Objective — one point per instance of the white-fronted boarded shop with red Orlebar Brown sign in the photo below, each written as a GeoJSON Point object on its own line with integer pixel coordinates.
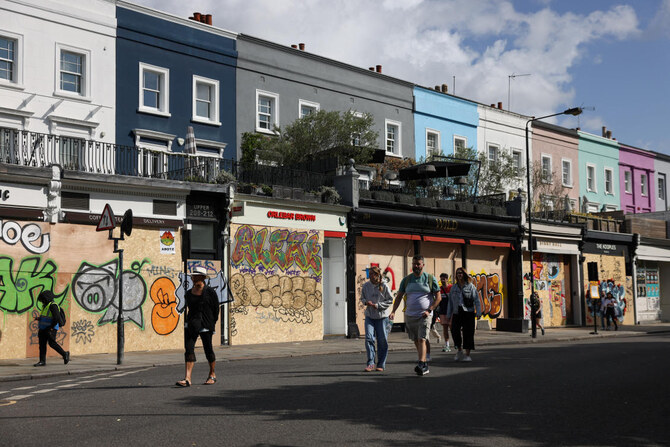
{"type": "Point", "coordinates": [278, 269]}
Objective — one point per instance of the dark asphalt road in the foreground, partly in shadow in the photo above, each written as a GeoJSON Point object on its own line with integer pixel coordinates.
{"type": "Point", "coordinates": [592, 393]}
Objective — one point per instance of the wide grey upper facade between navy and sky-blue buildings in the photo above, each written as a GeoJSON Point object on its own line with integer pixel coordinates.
{"type": "Point", "coordinates": [277, 84]}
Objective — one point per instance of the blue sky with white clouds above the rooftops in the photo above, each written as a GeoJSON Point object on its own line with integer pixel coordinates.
{"type": "Point", "coordinates": [610, 57]}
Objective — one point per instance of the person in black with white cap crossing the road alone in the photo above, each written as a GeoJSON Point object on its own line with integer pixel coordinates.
{"type": "Point", "coordinates": [202, 313]}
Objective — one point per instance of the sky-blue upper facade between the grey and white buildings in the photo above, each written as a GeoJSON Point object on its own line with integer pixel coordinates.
{"type": "Point", "coordinates": [442, 122]}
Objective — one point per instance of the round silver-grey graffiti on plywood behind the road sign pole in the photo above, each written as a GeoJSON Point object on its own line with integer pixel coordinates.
{"type": "Point", "coordinates": [96, 289]}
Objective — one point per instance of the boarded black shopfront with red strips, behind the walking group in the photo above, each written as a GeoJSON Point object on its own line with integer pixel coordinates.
{"type": "Point", "coordinates": [390, 239]}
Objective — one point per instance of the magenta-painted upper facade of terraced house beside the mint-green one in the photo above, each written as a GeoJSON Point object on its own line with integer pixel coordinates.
{"type": "Point", "coordinates": [636, 175]}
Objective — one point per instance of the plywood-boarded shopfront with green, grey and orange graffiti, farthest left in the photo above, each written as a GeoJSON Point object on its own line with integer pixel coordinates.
{"type": "Point", "coordinates": [78, 264]}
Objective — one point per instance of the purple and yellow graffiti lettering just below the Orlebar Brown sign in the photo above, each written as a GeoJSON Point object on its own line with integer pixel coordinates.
{"type": "Point", "coordinates": [291, 252]}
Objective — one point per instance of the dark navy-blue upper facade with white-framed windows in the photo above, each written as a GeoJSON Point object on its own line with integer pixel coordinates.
{"type": "Point", "coordinates": [172, 73]}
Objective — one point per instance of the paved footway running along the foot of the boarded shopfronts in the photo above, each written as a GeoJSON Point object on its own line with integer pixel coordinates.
{"type": "Point", "coordinates": [22, 369]}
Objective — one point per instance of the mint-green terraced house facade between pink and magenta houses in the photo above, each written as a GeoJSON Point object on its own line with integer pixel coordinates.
{"type": "Point", "coordinates": [598, 173]}
